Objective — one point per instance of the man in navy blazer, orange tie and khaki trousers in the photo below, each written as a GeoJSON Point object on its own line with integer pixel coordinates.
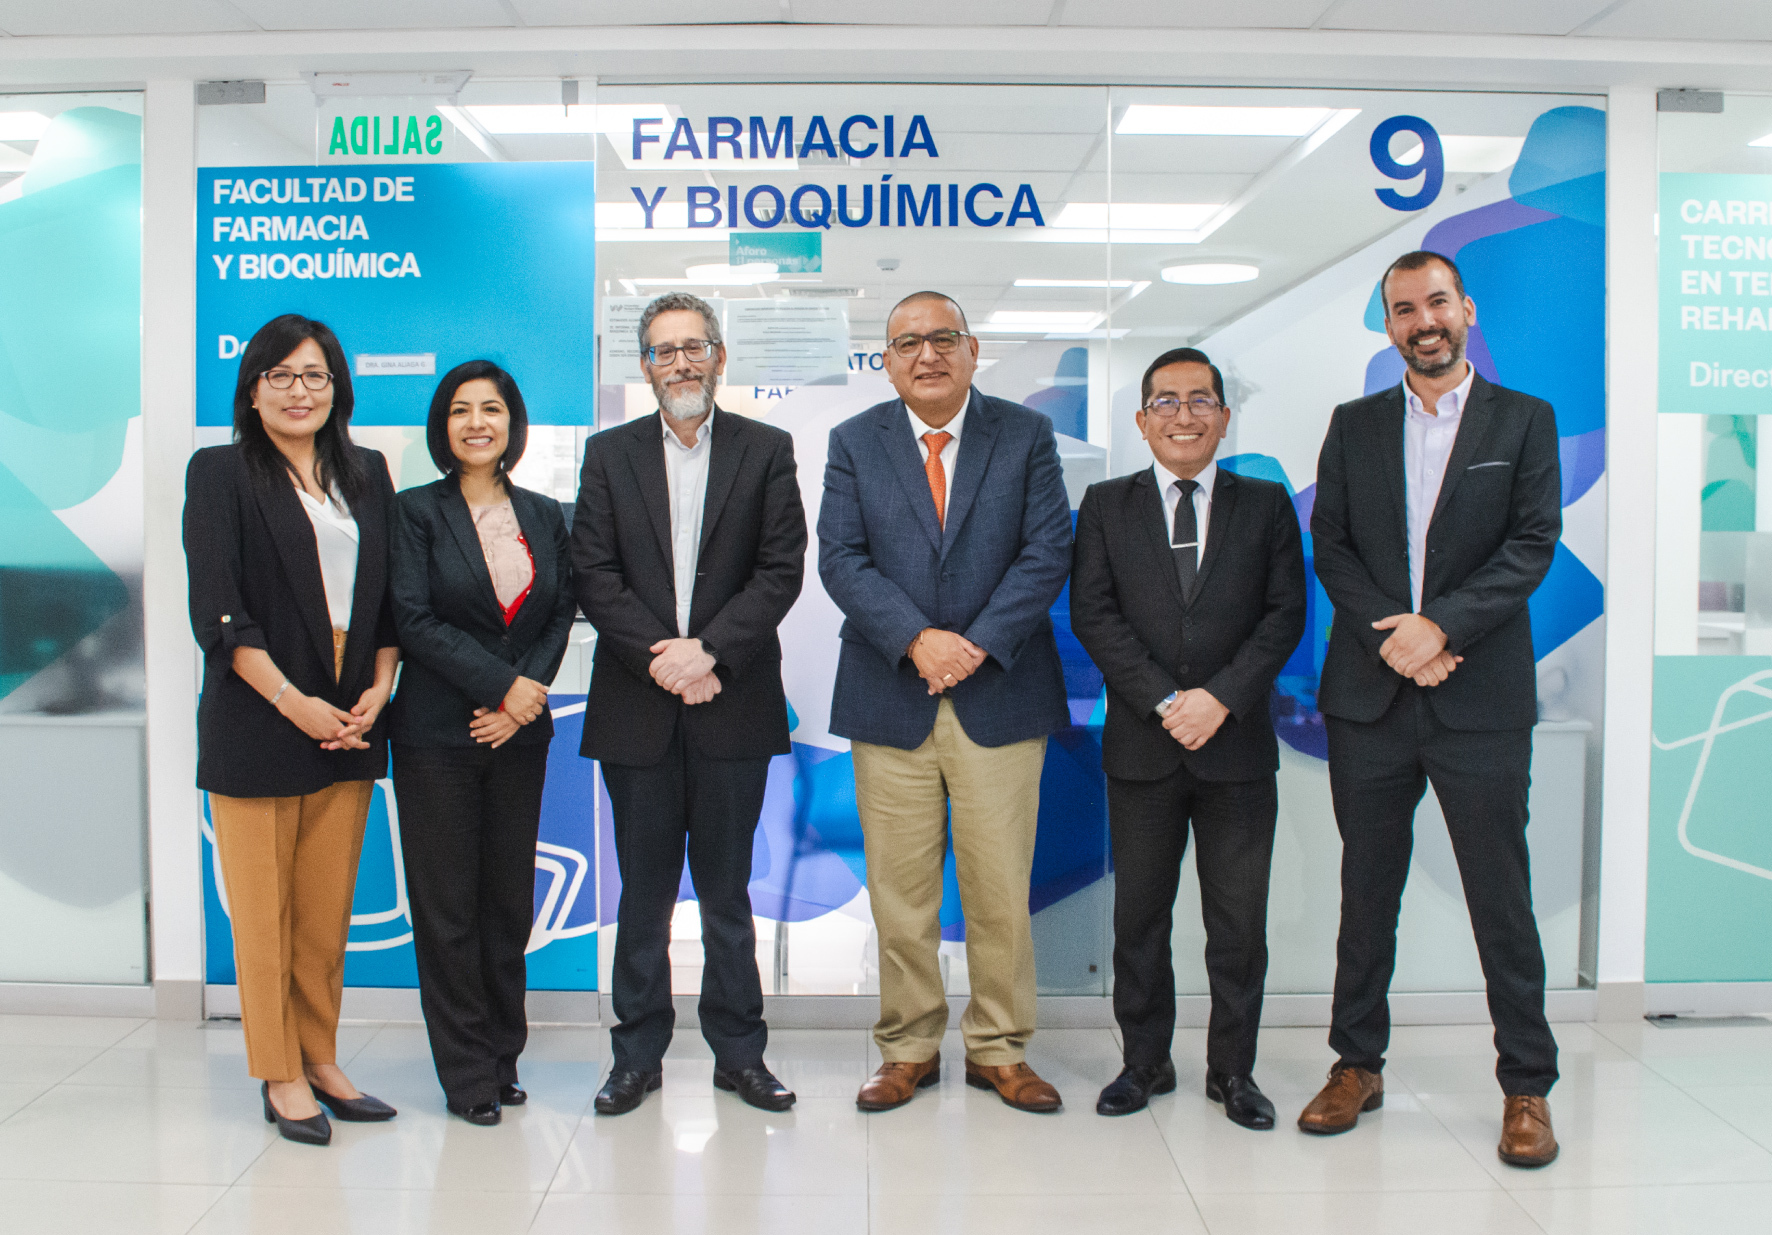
{"type": "Point", "coordinates": [945, 540]}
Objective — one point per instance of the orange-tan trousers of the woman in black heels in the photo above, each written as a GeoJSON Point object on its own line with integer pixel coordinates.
{"type": "Point", "coordinates": [290, 869]}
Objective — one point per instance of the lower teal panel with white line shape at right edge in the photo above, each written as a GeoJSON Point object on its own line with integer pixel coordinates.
{"type": "Point", "coordinates": [1711, 828]}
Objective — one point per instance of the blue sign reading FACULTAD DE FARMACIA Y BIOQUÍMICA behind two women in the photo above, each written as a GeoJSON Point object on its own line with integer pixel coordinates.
{"type": "Point", "coordinates": [416, 268]}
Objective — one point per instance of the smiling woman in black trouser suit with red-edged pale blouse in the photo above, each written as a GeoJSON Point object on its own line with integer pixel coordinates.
{"type": "Point", "coordinates": [483, 600]}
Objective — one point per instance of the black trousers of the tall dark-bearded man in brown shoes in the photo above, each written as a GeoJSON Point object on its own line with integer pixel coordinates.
{"type": "Point", "coordinates": [1378, 775]}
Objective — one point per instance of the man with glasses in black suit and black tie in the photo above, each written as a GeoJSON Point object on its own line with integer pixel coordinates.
{"type": "Point", "coordinates": [1188, 593]}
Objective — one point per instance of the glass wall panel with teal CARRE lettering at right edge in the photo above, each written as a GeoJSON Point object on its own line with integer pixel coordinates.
{"type": "Point", "coordinates": [1711, 851]}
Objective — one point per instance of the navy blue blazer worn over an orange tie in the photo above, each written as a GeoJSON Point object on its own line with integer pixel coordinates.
{"type": "Point", "coordinates": [991, 575]}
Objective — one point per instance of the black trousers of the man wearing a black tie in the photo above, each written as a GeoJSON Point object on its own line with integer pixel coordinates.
{"type": "Point", "coordinates": [1234, 850]}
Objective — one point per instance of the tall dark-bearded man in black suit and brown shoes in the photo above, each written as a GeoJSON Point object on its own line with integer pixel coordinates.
{"type": "Point", "coordinates": [1438, 515]}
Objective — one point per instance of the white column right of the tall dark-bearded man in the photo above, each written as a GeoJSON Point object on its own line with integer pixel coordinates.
{"type": "Point", "coordinates": [1631, 456]}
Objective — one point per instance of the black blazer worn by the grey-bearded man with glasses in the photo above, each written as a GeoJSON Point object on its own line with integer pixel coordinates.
{"type": "Point", "coordinates": [749, 575]}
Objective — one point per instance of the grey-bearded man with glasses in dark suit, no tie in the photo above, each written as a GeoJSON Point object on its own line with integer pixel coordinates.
{"type": "Point", "coordinates": [688, 550]}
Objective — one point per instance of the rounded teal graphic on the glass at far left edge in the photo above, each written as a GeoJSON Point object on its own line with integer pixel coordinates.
{"type": "Point", "coordinates": [70, 378]}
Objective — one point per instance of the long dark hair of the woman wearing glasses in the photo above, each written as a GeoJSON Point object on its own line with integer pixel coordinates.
{"type": "Point", "coordinates": [336, 463]}
